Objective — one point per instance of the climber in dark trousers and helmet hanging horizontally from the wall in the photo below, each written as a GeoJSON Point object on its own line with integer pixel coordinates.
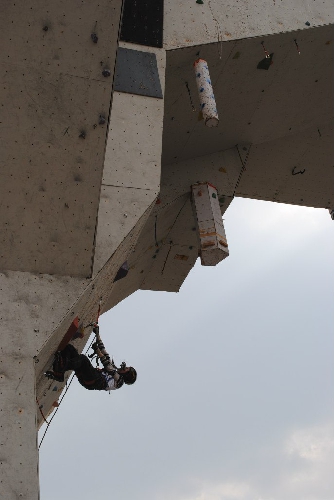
{"type": "Point", "coordinates": [106, 379]}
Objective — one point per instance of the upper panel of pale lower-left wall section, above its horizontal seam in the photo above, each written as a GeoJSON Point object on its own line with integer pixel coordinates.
{"type": "Point", "coordinates": [32, 305]}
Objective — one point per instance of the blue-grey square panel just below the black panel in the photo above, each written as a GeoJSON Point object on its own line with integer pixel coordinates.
{"type": "Point", "coordinates": [137, 73]}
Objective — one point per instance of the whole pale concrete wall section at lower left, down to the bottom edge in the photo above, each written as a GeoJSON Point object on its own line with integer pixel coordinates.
{"type": "Point", "coordinates": [31, 307]}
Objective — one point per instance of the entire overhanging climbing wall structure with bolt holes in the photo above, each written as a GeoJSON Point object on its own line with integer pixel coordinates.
{"type": "Point", "coordinates": [97, 168]}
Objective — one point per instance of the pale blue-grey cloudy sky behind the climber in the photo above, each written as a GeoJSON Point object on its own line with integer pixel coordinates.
{"type": "Point", "coordinates": [234, 398]}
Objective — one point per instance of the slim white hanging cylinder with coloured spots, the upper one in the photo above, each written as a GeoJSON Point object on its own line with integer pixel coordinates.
{"type": "Point", "coordinates": [205, 92]}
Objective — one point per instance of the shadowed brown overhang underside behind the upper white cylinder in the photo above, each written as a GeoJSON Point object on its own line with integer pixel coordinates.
{"type": "Point", "coordinates": [254, 106]}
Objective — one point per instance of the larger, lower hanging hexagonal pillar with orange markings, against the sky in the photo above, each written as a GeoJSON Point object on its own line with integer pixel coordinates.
{"type": "Point", "coordinates": [213, 244]}
